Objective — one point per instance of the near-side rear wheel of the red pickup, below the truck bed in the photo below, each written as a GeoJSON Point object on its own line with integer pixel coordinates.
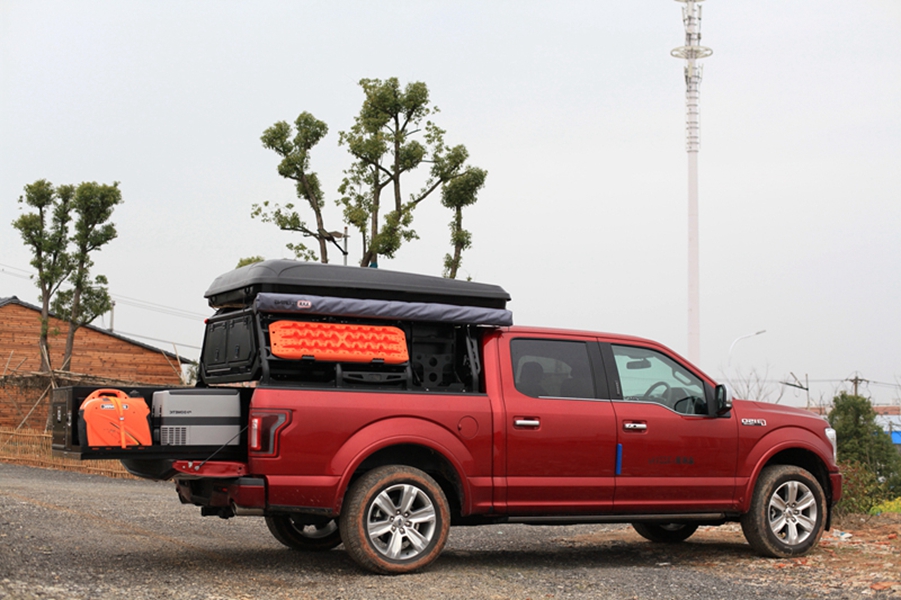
{"type": "Point", "coordinates": [395, 519]}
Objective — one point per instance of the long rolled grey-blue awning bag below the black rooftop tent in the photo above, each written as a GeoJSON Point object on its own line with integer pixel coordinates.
{"type": "Point", "coordinates": [300, 304]}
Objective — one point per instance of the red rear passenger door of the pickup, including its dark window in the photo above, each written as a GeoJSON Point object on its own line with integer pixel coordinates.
{"type": "Point", "coordinates": [559, 426]}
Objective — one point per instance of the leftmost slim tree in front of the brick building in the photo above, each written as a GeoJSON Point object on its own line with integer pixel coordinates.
{"type": "Point", "coordinates": [46, 233]}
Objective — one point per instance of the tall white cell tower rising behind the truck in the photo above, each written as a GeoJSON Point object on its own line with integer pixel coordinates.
{"type": "Point", "coordinates": [691, 52]}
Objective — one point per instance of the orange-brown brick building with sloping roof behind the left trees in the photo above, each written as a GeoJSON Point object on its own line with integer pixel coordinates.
{"type": "Point", "coordinates": [98, 356]}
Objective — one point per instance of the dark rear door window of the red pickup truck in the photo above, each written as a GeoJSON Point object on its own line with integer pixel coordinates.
{"type": "Point", "coordinates": [555, 368]}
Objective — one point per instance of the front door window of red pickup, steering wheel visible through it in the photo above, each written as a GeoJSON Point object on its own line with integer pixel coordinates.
{"type": "Point", "coordinates": [649, 376]}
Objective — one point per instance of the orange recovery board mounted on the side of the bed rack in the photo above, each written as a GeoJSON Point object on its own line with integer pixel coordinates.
{"type": "Point", "coordinates": [338, 342]}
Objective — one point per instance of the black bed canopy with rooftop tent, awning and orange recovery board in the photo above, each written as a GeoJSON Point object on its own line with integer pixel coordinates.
{"type": "Point", "coordinates": [273, 318]}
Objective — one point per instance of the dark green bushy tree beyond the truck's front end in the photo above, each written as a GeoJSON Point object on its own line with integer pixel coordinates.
{"type": "Point", "coordinates": [862, 441]}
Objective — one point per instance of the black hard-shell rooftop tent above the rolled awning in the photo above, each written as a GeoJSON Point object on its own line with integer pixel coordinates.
{"type": "Point", "coordinates": [238, 288]}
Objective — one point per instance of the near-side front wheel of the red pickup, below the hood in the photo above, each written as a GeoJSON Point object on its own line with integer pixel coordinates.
{"type": "Point", "coordinates": [788, 512]}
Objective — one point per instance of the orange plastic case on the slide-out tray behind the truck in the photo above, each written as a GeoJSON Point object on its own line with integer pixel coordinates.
{"type": "Point", "coordinates": [113, 418]}
